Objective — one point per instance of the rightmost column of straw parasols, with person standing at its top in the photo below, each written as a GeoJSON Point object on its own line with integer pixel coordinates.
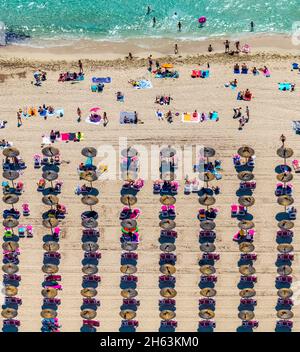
{"type": "Point", "coordinates": [285, 248]}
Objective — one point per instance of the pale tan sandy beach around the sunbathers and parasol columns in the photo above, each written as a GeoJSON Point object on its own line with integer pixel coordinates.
{"type": "Point", "coordinates": [271, 114]}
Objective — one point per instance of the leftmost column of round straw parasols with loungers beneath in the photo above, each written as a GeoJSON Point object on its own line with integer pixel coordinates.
{"type": "Point", "coordinates": [10, 246]}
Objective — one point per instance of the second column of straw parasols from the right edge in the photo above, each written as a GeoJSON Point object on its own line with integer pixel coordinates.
{"type": "Point", "coordinates": [245, 238]}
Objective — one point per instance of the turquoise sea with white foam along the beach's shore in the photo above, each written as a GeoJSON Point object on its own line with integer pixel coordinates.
{"type": "Point", "coordinates": [119, 19]}
